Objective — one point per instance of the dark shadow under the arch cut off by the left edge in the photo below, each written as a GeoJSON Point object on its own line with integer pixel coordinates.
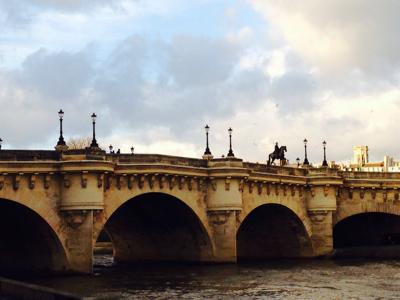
{"type": "Point", "coordinates": [28, 244]}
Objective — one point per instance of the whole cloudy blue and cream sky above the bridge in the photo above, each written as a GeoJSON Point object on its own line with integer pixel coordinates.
{"type": "Point", "coordinates": [156, 72]}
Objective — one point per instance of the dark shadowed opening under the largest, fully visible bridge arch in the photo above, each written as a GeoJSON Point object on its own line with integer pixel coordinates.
{"type": "Point", "coordinates": [157, 227]}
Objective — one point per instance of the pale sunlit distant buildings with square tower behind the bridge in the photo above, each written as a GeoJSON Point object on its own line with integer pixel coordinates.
{"type": "Point", "coordinates": [361, 162]}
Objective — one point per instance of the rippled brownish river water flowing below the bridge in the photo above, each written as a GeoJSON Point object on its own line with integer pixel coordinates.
{"type": "Point", "coordinates": [281, 279]}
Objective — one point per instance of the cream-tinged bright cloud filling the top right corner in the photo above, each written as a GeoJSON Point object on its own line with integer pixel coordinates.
{"type": "Point", "coordinates": [340, 37]}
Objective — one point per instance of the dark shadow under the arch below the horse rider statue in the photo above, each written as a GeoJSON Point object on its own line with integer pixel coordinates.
{"type": "Point", "coordinates": [272, 231]}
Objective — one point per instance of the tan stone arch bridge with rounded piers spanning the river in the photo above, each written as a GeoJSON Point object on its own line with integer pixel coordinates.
{"type": "Point", "coordinates": [54, 204]}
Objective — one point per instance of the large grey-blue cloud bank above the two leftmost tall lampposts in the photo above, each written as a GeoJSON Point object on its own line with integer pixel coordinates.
{"type": "Point", "coordinates": [138, 86]}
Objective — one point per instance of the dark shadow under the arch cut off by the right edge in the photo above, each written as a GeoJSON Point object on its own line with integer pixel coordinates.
{"type": "Point", "coordinates": [371, 229]}
